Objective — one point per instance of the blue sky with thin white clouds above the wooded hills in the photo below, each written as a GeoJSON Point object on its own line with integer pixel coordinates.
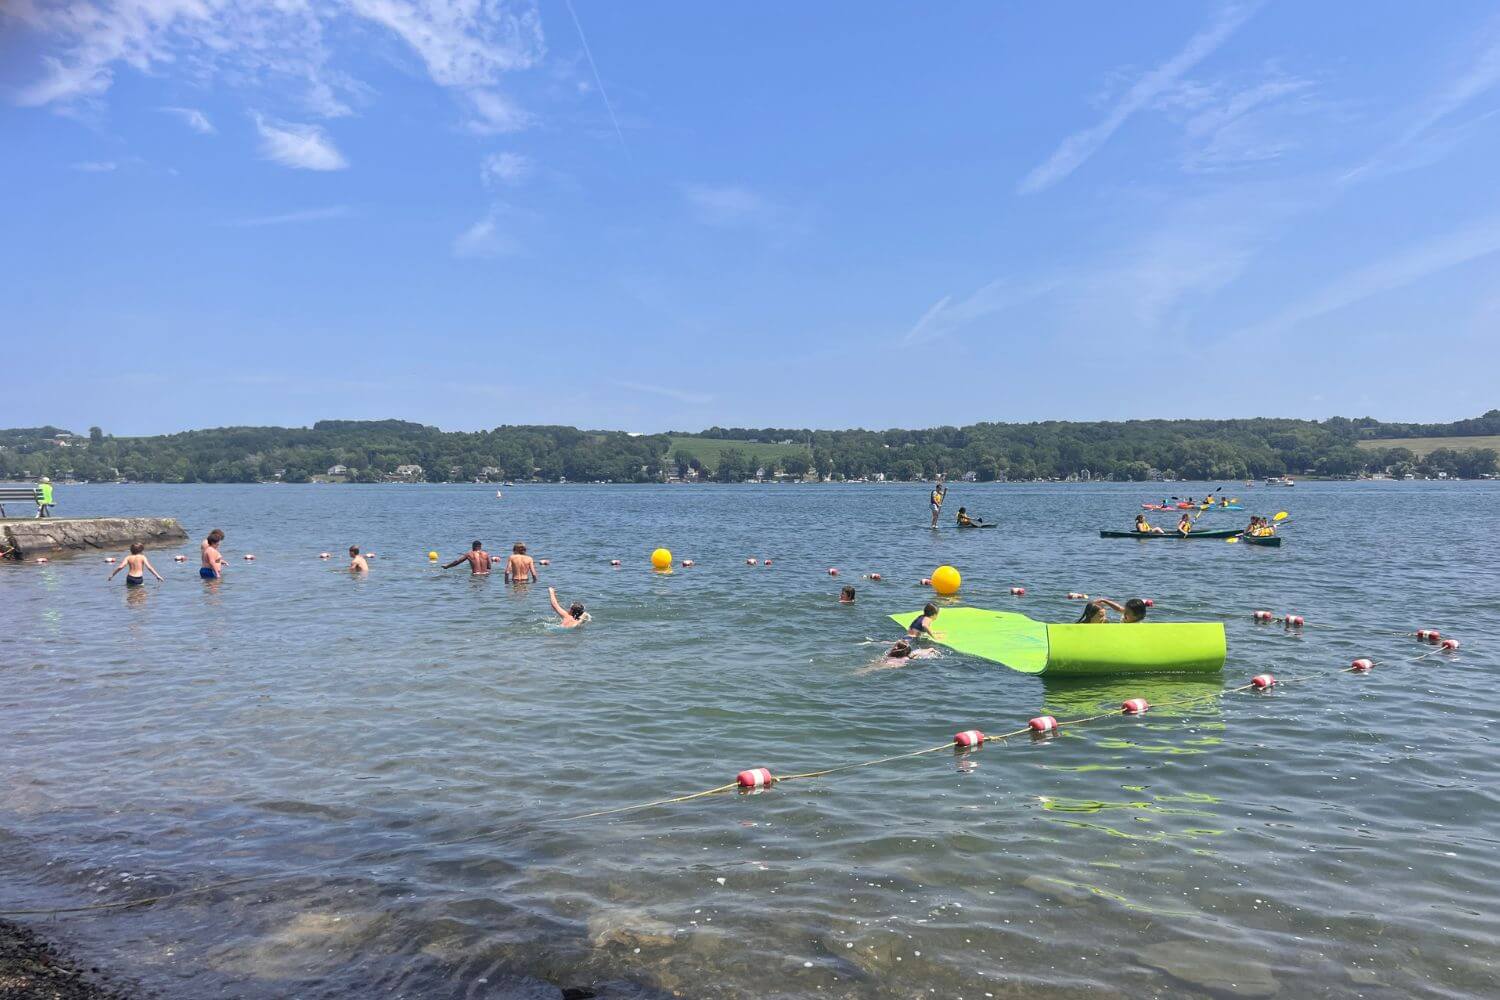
{"type": "Point", "coordinates": [830, 215]}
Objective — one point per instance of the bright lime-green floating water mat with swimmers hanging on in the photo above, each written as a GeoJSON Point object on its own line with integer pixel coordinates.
{"type": "Point", "coordinates": [1033, 647]}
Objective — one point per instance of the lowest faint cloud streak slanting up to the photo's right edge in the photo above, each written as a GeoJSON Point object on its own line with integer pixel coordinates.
{"type": "Point", "coordinates": [1394, 272]}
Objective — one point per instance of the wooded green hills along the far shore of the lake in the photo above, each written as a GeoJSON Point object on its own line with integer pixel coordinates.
{"type": "Point", "coordinates": [377, 451]}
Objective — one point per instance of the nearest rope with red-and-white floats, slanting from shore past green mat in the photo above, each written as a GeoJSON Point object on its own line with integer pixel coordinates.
{"type": "Point", "coordinates": [758, 779]}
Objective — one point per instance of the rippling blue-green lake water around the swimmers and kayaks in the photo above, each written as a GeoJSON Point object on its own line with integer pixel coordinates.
{"type": "Point", "coordinates": [412, 747]}
